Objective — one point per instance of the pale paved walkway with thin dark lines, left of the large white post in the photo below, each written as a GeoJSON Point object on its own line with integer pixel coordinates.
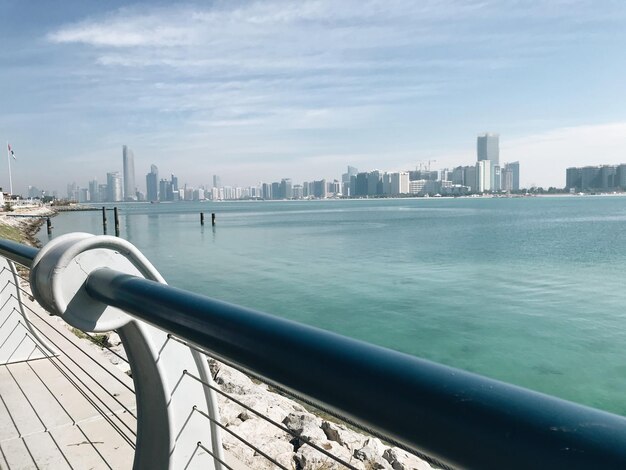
{"type": "Point", "coordinates": [75, 410]}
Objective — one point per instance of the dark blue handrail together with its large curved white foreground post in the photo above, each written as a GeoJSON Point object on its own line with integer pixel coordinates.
{"type": "Point", "coordinates": [451, 417]}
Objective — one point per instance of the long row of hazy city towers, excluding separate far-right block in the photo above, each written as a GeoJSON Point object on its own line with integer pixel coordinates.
{"type": "Point", "coordinates": [486, 175]}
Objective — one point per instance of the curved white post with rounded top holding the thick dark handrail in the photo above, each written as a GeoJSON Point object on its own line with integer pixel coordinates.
{"type": "Point", "coordinates": [168, 429]}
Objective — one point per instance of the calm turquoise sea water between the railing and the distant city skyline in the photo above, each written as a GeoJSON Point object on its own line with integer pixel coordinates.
{"type": "Point", "coordinates": [529, 291]}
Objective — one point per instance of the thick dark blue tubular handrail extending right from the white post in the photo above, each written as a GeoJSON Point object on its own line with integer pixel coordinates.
{"type": "Point", "coordinates": [457, 417]}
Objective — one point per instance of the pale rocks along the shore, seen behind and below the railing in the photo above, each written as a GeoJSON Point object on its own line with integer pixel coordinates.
{"type": "Point", "coordinates": [290, 449]}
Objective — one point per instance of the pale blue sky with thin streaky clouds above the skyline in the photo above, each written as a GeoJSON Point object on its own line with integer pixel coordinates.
{"type": "Point", "coordinates": [256, 89]}
